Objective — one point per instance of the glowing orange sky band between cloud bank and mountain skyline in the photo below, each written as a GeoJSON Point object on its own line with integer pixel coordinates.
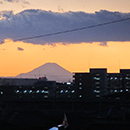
{"type": "Point", "coordinates": [73, 57]}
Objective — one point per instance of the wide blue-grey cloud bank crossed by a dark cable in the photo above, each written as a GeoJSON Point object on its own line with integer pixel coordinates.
{"type": "Point", "coordinates": [29, 23]}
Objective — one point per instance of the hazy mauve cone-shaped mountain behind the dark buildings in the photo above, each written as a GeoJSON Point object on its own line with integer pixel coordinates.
{"type": "Point", "coordinates": [52, 71]}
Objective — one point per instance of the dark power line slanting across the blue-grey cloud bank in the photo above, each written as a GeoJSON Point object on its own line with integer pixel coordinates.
{"type": "Point", "coordinates": [71, 30]}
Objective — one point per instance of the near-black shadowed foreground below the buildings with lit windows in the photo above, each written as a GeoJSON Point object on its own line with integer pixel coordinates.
{"type": "Point", "coordinates": [92, 115]}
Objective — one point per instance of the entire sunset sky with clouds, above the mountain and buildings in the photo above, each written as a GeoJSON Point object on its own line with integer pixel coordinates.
{"type": "Point", "coordinates": [99, 47]}
